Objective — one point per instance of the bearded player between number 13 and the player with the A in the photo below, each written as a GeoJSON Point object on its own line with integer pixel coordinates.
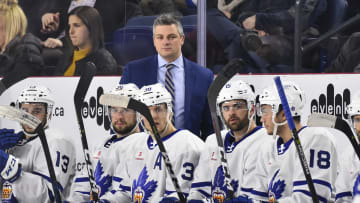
{"type": "Point", "coordinates": [124, 122]}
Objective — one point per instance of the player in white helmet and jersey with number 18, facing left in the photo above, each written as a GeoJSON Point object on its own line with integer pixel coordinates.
{"type": "Point", "coordinates": [285, 181]}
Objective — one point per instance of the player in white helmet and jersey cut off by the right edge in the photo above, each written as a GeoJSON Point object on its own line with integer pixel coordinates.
{"type": "Point", "coordinates": [350, 167]}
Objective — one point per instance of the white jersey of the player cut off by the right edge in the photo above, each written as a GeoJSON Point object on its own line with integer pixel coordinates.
{"type": "Point", "coordinates": [348, 172]}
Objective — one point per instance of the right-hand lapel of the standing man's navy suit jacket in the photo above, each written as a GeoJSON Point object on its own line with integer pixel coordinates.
{"type": "Point", "coordinates": [189, 78]}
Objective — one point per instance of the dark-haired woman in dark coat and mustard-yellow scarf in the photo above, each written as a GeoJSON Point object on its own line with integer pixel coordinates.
{"type": "Point", "coordinates": [85, 39]}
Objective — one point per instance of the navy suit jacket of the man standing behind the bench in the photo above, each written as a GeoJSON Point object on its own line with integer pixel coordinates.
{"type": "Point", "coordinates": [197, 81]}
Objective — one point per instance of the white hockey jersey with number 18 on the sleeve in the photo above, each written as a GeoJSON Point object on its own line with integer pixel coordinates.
{"type": "Point", "coordinates": [285, 181]}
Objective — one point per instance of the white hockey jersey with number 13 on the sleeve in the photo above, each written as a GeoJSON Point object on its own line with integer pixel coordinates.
{"type": "Point", "coordinates": [34, 185]}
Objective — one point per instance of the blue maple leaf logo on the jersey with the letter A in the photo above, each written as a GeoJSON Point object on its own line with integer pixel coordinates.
{"type": "Point", "coordinates": [143, 189]}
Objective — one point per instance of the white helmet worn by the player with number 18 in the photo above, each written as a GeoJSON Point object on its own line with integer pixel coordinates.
{"type": "Point", "coordinates": [295, 97]}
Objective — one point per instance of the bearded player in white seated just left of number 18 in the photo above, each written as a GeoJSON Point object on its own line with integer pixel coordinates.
{"type": "Point", "coordinates": [242, 139]}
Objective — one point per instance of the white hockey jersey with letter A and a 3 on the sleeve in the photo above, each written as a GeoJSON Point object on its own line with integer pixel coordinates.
{"type": "Point", "coordinates": [144, 175]}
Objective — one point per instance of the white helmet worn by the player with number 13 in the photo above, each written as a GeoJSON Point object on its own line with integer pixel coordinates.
{"type": "Point", "coordinates": [37, 94]}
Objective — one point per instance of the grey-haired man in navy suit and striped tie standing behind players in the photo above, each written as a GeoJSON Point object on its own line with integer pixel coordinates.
{"type": "Point", "coordinates": [190, 81]}
